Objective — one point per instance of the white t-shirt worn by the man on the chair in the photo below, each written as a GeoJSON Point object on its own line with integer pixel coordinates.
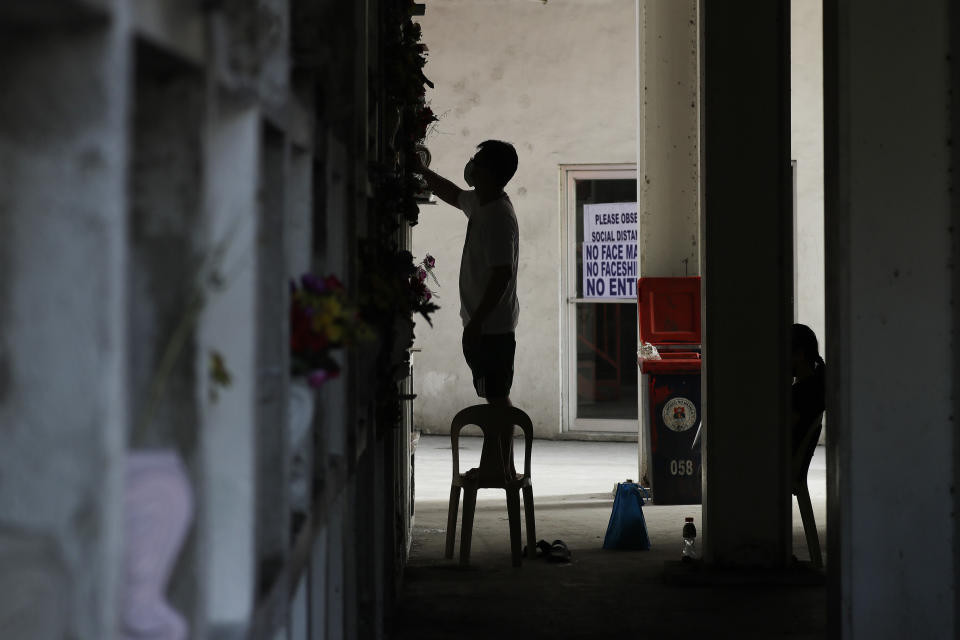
{"type": "Point", "coordinates": [493, 239]}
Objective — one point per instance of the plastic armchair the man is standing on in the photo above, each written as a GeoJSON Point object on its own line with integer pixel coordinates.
{"type": "Point", "coordinates": [495, 472]}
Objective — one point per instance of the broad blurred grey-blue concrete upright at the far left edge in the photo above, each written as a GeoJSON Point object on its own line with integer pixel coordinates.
{"type": "Point", "coordinates": [63, 259]}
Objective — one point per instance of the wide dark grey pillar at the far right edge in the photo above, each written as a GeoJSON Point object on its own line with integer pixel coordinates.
{"type": "Point", "coordinates": [892, 255]}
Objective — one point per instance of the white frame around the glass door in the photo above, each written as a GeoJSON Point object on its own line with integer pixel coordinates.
{"type": "Point", "coordinates": [569, 173]}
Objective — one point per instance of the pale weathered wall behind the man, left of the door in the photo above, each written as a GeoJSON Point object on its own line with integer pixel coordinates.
{"type": "Point", "coordinates": [558, 80]}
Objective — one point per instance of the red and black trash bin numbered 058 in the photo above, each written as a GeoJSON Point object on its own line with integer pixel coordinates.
{"type": "Point", "coordinates": [668, 313]}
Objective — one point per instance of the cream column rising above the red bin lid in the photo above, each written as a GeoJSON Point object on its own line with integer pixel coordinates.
{"type": "Point", "coordinates": [668, 157]}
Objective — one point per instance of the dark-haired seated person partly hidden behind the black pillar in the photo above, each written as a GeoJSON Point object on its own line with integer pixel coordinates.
{"type": "Point", "coordinates": [808, 393]}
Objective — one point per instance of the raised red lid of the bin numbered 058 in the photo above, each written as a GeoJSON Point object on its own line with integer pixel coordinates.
{"type": "Point", "coordinates": [668, 310]}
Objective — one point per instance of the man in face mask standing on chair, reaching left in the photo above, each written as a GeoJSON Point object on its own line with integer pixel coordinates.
{"type": "Point", "coordinates": [488, 271]}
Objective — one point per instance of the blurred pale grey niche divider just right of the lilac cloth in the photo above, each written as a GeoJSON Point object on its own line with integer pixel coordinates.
{"type": "Point", "coordinates": [229, 419]}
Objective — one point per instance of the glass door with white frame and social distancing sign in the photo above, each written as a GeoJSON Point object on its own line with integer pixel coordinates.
{"type": "Point", "coordinates": [601, 303]}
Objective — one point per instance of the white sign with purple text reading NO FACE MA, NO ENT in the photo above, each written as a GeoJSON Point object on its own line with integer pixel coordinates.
{"type": "Point", "coordinates": [610, 250]}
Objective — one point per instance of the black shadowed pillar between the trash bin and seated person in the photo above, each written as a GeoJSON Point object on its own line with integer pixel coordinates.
{"type": "Point", "coordinates": [747, 271]}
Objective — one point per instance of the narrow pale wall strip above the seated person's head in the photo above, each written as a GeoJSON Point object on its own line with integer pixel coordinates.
{"type": "Point", "coordinates": [806, 78]}
